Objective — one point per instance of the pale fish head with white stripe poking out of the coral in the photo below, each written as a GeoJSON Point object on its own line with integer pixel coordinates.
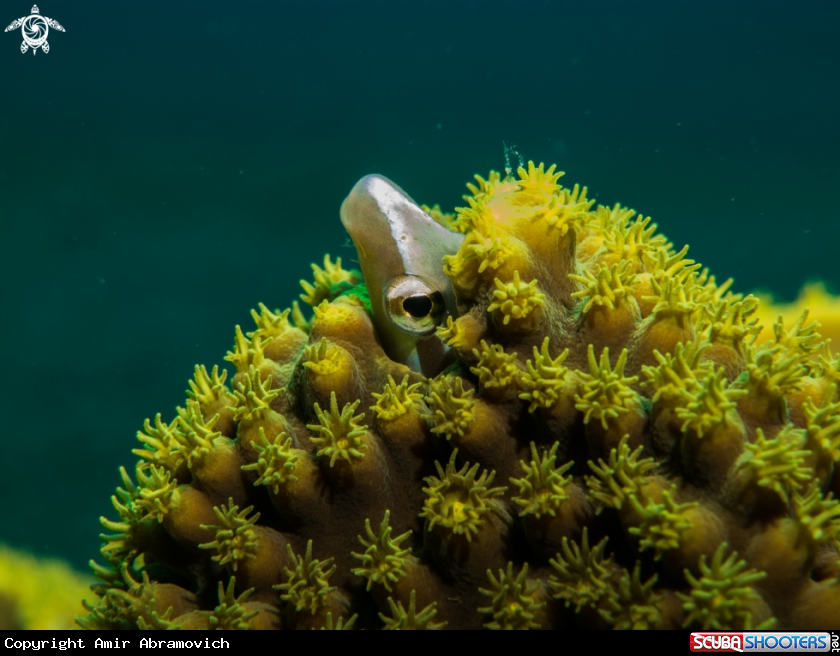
{"type": "Point", "coordinates": [400, 251]}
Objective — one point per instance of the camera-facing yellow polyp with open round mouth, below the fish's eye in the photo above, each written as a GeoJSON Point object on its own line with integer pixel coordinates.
{"type": "Point", "coordinates": [457, 500]}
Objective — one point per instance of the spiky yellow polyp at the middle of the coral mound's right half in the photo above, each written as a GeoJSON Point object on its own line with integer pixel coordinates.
{"type": "Point", "coordinates": [605, 392]}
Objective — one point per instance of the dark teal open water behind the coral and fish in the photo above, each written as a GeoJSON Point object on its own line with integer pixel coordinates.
{"type": "Point", "coordinates": [167, 166]}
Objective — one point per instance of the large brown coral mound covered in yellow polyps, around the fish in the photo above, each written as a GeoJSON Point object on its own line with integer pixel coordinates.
{"type": "Point", "coordinates": [613, 449]}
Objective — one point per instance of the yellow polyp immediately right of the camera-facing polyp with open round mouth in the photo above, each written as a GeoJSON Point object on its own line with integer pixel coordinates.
{"type": "Point", "coordinates": [543, 488]}
